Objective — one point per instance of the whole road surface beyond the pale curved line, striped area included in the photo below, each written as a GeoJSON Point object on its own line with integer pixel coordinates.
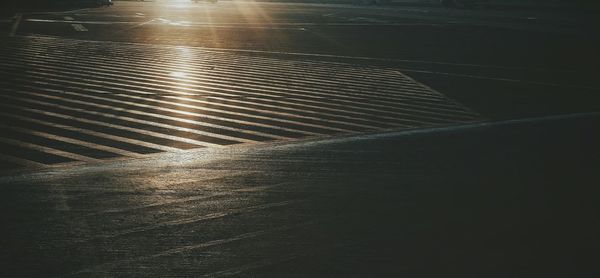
{"type": "Point", "coordinates": [145, 77]}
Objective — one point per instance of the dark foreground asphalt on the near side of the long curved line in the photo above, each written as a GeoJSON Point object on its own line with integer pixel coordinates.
{"type": "Point", "coordinates": [491, 200]}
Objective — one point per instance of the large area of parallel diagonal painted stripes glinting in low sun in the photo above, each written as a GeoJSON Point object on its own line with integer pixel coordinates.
{"type": "Point", "coordinates": [69, 101]}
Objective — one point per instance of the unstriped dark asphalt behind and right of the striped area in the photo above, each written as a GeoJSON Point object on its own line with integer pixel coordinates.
{"type": "Point", "coordinates": [478, 57]}
